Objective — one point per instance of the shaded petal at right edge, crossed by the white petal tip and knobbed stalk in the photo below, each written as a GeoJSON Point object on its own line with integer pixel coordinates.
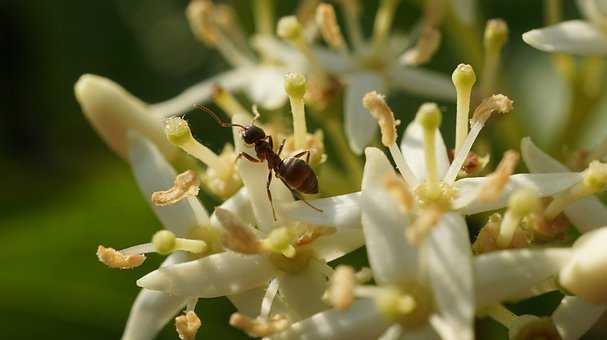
{"type": "Point", "coordinates": [586, 214]}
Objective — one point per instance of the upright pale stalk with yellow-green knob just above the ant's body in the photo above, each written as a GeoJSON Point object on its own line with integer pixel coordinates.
{"type": "Point", "coordinates": [295, 86]}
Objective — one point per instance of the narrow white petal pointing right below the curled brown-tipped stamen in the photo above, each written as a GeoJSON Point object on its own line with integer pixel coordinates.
{"type": "Point", "coordinates": [546, 184]}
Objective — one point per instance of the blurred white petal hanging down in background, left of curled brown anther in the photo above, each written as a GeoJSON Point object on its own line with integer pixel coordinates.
{"type": "Point", "coordinates": [360, 125]}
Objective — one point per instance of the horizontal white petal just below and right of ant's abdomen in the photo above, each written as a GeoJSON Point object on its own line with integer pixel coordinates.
{"type": "Point", "coordinates": [341, 212]}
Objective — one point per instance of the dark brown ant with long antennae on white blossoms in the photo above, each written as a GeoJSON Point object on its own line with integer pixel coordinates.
{"type": "Point", "coordinates": [295, 173]}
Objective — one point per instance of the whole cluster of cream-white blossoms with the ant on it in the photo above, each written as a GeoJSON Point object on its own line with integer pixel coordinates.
{"type": "Point", "coordinates": [268, 248]}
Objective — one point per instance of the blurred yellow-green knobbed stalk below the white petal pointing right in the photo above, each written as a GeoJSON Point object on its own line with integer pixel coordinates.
{"type": "Point", "coordinates": [523, 202]}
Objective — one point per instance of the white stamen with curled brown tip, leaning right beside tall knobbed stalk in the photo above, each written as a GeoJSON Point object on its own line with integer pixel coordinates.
{"type": "Point", "coordinates": [496, 103]}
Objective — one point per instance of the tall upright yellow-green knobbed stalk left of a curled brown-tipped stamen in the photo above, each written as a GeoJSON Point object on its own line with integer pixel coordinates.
{"type": "Point", "coordinates": [463, 78]}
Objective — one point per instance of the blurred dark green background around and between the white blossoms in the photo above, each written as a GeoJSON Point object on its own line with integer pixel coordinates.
{"type": "Point", "coordinates": [64, 192]}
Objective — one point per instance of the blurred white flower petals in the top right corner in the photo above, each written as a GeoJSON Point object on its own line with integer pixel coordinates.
{"type": "Point", "coordinates": [580, 37]}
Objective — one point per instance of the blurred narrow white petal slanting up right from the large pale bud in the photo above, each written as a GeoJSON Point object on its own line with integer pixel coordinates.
{"type": "Point", "coordinates": [202, 92]}
